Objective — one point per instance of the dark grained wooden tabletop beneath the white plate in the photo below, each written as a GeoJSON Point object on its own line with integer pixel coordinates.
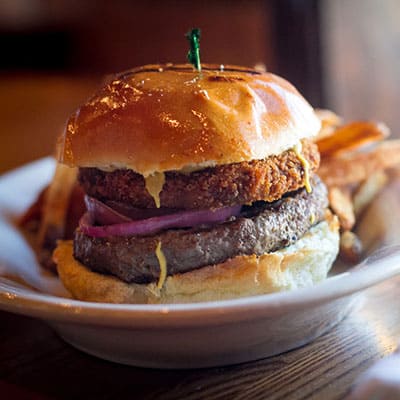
{"type": "Point", "coordinates": [35, 363]}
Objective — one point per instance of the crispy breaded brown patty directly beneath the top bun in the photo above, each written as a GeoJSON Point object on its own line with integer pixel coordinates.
{"type": "Point", "coordinates": [220, 186]}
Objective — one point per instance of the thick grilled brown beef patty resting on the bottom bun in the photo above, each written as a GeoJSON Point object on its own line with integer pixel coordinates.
{"type": "Point", "coordinates": [261, 228]}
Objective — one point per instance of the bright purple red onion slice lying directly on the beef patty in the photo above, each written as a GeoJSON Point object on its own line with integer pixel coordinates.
{"type": "Point", "coordinates": [150, 226]}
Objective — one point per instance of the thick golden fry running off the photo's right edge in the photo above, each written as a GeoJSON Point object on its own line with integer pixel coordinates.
{"type": "Point", "coordinates": [356, 167]}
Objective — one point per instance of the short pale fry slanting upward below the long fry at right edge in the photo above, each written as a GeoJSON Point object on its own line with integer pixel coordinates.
{"type": "Point", "coordinates": [368, 190]}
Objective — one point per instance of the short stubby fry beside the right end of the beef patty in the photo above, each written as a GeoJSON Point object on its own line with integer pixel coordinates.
{"type": "Point", "coordinates": [340, 202]}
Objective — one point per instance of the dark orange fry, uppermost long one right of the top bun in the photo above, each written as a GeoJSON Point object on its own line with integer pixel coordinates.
{"type": "Point", "coordinates": [352, 136]}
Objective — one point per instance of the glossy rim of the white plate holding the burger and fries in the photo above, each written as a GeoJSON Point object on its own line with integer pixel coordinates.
{"type": "Point", "coordinates": [23, 300]}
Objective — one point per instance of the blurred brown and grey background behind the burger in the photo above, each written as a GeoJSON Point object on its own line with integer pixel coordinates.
{"type": "Point", "coordinates": [341, 54]}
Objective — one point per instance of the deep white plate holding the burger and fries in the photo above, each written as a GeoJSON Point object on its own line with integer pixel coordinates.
{"type": "Point", "coordinates": [173, 336]}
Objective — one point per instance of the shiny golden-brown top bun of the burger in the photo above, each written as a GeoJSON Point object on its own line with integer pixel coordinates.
{"type": "Point", "coordinates": [171, 117]}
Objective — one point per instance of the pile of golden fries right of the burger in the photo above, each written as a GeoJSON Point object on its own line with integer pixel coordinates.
{"type": "Point", "coordinates": [355, 158]}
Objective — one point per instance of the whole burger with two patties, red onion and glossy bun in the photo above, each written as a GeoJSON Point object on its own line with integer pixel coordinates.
{"type": "Point", "coordinates": [198, 187]}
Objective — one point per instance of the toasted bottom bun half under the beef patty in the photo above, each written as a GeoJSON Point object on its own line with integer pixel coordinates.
{"type": "Point", "coordinates": [302, 264]}
